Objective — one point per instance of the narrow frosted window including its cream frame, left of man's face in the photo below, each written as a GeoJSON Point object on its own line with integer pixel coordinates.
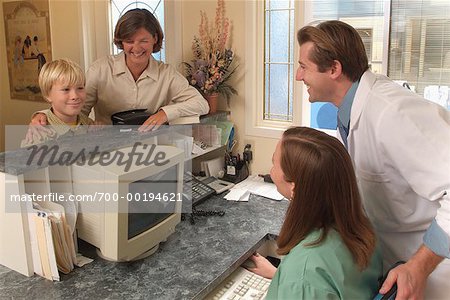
{"type": "Point", "coordinates": [272, 94]}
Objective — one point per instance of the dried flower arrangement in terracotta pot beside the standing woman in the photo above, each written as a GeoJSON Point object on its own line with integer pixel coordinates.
{"type": "Point", "coordinates": [212, 65]}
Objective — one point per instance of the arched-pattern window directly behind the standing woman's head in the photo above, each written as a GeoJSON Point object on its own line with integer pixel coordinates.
{"type": "Point", "coordinates": [119, 7]}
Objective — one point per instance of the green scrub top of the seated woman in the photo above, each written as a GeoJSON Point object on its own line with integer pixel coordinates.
{"type": "Point", "coordinates": [325, 271]}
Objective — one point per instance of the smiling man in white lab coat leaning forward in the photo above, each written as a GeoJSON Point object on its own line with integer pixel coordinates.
{"type": "Point", "coordinates": [400, 145]}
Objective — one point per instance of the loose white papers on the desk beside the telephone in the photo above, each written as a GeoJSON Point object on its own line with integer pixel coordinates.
{"type": "Point", "coordinates": [253, 185]}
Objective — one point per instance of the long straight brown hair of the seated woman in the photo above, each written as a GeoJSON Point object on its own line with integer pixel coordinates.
{"type": "Point", "coordinates": [325, 195]}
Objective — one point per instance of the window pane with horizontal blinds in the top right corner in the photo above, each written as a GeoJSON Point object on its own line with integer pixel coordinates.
{"type": "Point", "coordinates": [419, 50]}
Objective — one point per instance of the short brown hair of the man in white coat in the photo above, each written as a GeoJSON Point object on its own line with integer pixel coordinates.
{"type": "Point", "coordinates": [336, 40]}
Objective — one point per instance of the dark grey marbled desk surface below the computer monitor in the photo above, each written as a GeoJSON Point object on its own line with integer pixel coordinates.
{"type": "Point", "coordinates": [191, 263]}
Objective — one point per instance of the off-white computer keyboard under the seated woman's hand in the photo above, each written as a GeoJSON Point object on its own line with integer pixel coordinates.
{"type": "Point", "coordinates": [241, 284]}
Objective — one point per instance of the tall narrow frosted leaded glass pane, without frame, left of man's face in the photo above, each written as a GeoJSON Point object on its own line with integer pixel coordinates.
{"type": "Point", "coordinates": [278, 59]}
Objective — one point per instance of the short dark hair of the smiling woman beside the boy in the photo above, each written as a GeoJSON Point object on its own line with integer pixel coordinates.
{"type": "Point", "coordinates": [132, 21]}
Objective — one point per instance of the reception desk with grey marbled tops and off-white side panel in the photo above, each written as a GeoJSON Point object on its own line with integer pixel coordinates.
{"type": "Point", "coordinates": [190, 264]}
